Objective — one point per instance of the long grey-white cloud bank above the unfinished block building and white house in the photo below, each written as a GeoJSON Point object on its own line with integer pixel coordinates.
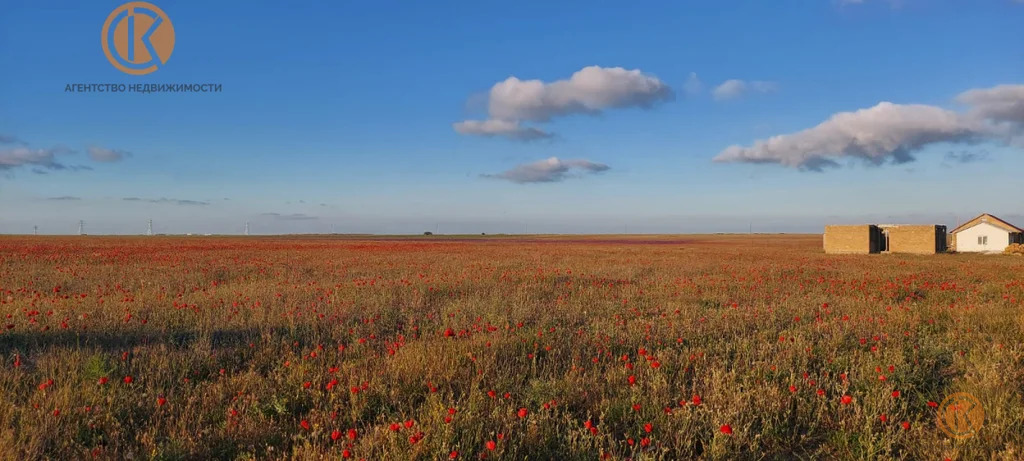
{"type": "Point", "coordinates": [891, 133]}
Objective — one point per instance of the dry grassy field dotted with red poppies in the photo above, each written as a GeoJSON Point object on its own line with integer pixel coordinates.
{"type": "Point", "coordinates": [617, 348]}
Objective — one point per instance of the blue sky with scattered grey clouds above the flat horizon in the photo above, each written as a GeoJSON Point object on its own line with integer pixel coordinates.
{"type": "Point", "coordinates": [342, 116]}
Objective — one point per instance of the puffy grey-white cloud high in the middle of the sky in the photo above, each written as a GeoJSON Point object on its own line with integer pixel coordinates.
{"type": "Point", "coordinates": [590, 91]}
